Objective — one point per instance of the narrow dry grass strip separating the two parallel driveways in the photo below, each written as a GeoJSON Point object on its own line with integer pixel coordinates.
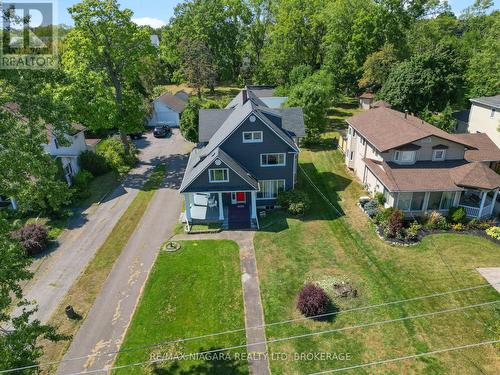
{"type": "Point", "coordinates": [85, 289]}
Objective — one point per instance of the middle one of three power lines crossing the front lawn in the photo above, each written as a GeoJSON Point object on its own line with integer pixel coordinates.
{"type": "Point", "coordinates": [194, 355]}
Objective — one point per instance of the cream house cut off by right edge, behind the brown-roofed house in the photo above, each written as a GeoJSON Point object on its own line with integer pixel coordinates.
{"type": "Point", "coordinates": [484, 117]}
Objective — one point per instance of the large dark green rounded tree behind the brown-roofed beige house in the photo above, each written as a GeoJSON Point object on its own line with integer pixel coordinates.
{"type": "Point", "coordinates": [430, 80]}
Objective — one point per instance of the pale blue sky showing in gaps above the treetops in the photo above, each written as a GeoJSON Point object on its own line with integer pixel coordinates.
{"type": "Point", "coordinates": [158, 12]}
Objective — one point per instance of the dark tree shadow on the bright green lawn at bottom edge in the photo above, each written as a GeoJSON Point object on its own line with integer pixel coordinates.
{"type": "Point", "coordinates": [228, 366]}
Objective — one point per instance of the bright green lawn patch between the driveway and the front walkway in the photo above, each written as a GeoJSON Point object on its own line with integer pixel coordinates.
{"type": "Point", "coordinates": [195, 291]}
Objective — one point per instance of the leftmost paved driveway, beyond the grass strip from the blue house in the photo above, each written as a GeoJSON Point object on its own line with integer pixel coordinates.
{"type": "Point", "coordinates": [57, 271]}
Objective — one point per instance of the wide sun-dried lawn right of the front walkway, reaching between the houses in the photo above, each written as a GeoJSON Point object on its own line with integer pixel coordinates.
{"type": "Point", "coordinates": [324, 247]}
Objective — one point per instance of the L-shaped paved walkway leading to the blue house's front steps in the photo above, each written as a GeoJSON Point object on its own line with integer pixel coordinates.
{"type": "Point", "coordinates": [254, 315]}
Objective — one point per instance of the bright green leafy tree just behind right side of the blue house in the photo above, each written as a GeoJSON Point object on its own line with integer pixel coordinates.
{"type": "Point", "coordinates": [315, 95]}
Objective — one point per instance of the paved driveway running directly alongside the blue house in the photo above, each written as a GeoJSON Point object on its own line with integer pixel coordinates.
{"type": "Point", "coordinates": [107, 321]}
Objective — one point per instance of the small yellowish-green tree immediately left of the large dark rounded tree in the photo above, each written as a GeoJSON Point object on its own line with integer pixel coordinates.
{"type": "Point", "coordinates": [377, 67]}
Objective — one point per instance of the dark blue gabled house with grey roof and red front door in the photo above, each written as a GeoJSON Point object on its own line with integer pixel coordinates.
{"type": "Point", "coordinates": [247, 154]}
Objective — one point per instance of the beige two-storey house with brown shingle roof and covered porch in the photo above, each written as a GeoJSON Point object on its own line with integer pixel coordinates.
{"type": "Point", "coordinates": [420, 168]}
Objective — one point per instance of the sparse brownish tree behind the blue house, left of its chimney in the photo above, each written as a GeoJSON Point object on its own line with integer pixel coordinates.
{"type": "Point", "coordinates": [197, 64]}
